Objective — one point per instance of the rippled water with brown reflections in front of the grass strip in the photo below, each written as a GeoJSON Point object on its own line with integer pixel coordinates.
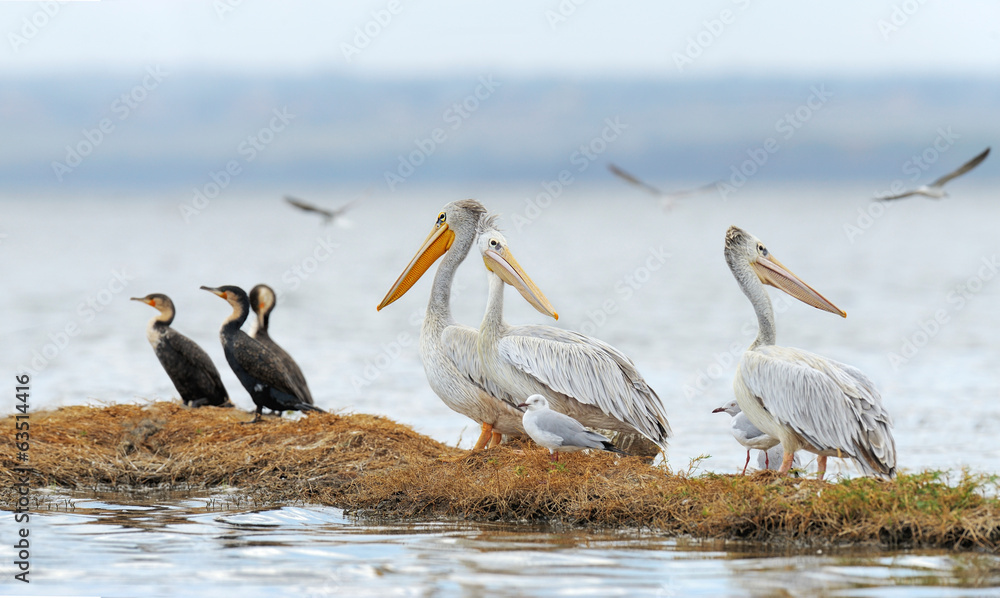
{"type": "Point", "coordinates": [183, 546]}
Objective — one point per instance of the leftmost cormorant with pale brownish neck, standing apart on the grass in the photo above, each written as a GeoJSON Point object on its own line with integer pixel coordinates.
{"type": "Point", "coordinates": [189, 367]}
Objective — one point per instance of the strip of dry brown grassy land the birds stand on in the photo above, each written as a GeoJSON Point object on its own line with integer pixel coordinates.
{"type": "Point", "coordinates": [373, 466]}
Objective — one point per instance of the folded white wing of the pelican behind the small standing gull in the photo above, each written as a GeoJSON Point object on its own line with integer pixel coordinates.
{"type": "Point", "coordinates": [588, 370]}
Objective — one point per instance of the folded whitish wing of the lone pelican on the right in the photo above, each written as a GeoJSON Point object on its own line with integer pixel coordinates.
{"type": "Point", "coordinates": [832, 406]}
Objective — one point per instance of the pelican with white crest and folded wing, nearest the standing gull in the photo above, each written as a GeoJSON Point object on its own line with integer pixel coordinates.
{"type": "Point", "coordinates": [581, 377]}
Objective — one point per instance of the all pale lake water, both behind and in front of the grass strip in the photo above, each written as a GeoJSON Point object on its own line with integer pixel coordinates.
{"type": "Point", "coordinates": [615, 265]}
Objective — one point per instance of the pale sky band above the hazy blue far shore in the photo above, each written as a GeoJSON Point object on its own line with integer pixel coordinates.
{"type": "Point", "coordinates": [528, 37]}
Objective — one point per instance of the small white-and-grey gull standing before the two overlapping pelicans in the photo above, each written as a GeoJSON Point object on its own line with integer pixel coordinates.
{"type": "Point", "coordinates": [560, 433]}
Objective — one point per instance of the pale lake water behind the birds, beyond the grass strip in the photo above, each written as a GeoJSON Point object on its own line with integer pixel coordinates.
{"type": "Point", "coordinates": [685, 323]}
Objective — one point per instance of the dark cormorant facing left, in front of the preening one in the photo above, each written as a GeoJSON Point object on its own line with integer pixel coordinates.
{"type": "Point", "coordinates": [254, 363]}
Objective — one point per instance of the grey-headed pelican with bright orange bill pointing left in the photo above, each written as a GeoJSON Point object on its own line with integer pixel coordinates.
{"type": "Point", "coordinates": [448, 349]}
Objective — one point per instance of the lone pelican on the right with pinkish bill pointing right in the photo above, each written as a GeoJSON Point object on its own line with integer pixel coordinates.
{"type": "Point", "coordinates": [806, 401]}
